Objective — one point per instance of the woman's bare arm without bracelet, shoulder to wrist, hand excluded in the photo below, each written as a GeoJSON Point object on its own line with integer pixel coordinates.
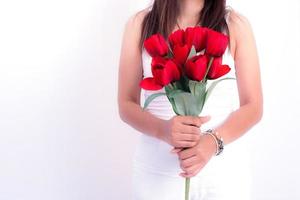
{"type": "Point", "coordinates": [130, 74]}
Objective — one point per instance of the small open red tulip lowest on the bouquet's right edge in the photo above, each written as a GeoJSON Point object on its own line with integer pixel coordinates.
{"type": "Point", "coordinates": [217, 70]}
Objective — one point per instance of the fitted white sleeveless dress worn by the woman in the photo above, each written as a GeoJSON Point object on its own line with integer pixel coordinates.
{"type": "Point", "coordinates": [155, 174]}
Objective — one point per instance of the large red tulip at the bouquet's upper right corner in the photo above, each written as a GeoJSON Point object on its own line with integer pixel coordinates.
{"type": "Point", "coordinates": [216, 43]}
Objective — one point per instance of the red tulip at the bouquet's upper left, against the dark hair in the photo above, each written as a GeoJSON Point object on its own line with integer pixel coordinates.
{"type": "Point", "coordinates": [156, 45]}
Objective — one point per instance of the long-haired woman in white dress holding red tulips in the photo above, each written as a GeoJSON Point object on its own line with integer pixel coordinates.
{"type": "Point", "coordinates": [159, 173]}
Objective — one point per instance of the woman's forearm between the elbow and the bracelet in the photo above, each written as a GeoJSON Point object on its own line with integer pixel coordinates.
{"type": "Point", "coordinates": [239, 122]}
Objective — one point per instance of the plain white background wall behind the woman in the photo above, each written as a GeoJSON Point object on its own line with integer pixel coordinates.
{"type": "Point", "coordinates": [60, 134]}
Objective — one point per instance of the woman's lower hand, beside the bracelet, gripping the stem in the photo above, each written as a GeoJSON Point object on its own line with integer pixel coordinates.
{"type": "Point", "coordinates": [193, 159]}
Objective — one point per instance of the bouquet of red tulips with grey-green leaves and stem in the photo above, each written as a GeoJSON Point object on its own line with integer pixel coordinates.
{"type": "Point", "coordinates": [182, 65]}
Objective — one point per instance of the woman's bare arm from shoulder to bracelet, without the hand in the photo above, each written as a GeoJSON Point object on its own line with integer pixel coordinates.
{"type": "Point", "coordinates": [244, 51]}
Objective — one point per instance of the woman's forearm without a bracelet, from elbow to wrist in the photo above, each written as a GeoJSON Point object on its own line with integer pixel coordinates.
{"type": "Point", "coordinates": [145, 122]}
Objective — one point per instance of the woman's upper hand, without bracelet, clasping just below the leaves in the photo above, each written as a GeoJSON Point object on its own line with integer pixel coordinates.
{"type": "Point", "coordinates": [183, 131]}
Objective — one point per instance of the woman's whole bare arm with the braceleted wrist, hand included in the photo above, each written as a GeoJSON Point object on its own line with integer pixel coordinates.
{"type": "Point", "coordinates": [243, 48]}
